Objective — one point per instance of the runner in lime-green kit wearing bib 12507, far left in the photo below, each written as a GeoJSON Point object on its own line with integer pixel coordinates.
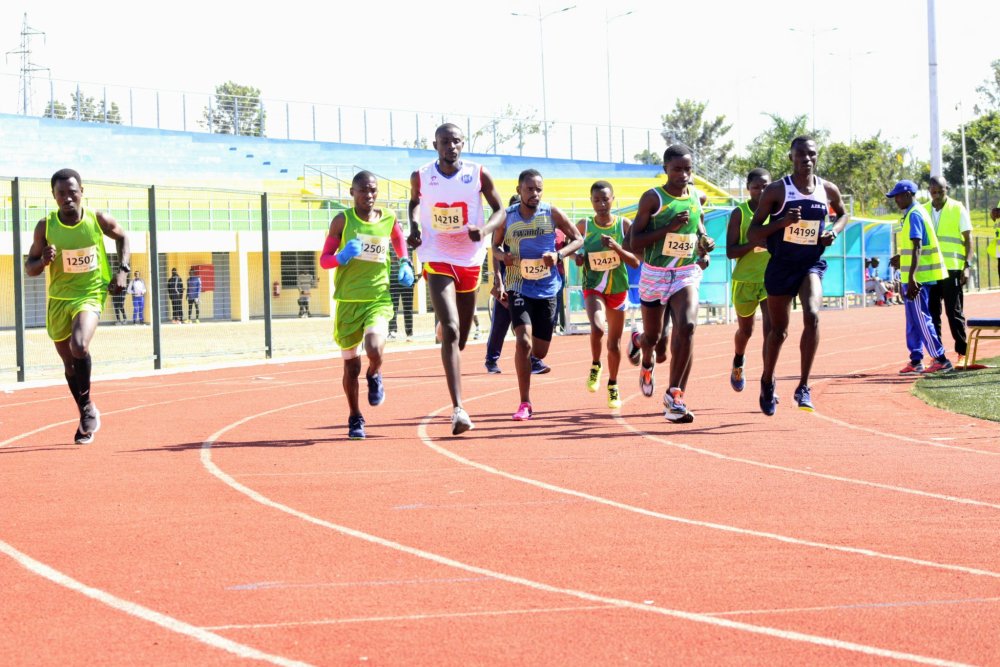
{"type": "Point", "coordinates": [70, 242]}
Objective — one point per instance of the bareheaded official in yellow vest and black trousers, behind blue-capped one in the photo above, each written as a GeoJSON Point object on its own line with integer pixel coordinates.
{"type": "Point", "coordinates": [953, 227]}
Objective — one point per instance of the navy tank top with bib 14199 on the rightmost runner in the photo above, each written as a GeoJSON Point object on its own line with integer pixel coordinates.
{"type": "Point", "coordinates": [799, 243]}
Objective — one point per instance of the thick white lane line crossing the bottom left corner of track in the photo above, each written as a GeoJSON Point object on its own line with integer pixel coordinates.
{"type": "Point", "coordinates": [138, 611]}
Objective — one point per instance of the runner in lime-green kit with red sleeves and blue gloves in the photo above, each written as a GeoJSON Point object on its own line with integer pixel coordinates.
{"type": "Point", "coordinates": [357, 246]}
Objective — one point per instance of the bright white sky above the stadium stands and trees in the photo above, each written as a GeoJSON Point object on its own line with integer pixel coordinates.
{"type": "Point", "coordinates": [862, 64]}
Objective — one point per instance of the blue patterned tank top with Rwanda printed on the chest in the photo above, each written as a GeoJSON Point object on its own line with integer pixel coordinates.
{"type": "Point", "coordinates": [528, 240]}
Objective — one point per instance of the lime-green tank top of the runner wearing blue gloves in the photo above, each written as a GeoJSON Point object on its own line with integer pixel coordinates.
{"type": "Point", "coordinates": [366, 277]}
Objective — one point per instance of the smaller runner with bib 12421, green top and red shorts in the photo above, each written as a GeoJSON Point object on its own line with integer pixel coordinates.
{"type": "Point", "coordinates": [605, 284]}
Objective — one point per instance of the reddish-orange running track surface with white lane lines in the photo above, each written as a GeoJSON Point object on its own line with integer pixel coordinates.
{"type": "Point", "coordinates": [223, 517]}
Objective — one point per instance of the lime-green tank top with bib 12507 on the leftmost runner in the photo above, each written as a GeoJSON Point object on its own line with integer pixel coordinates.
{"type": "Point", "coordinates": [80, 269]}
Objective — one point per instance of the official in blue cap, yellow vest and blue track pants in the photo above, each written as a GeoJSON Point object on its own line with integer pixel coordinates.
{"type": "Point", "coordinates": [922, 264]}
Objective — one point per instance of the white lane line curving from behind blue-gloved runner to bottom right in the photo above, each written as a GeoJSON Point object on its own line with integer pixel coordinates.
{"type": "Point", "coordinates": [788, 635]}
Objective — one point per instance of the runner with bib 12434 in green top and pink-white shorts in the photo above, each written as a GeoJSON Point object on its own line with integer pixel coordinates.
{"type": "Point", "coordinates": [669, 229]}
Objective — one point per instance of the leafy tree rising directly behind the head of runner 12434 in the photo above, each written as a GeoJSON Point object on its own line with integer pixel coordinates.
{"type": "Point", "coordinates": [687, 124]}
